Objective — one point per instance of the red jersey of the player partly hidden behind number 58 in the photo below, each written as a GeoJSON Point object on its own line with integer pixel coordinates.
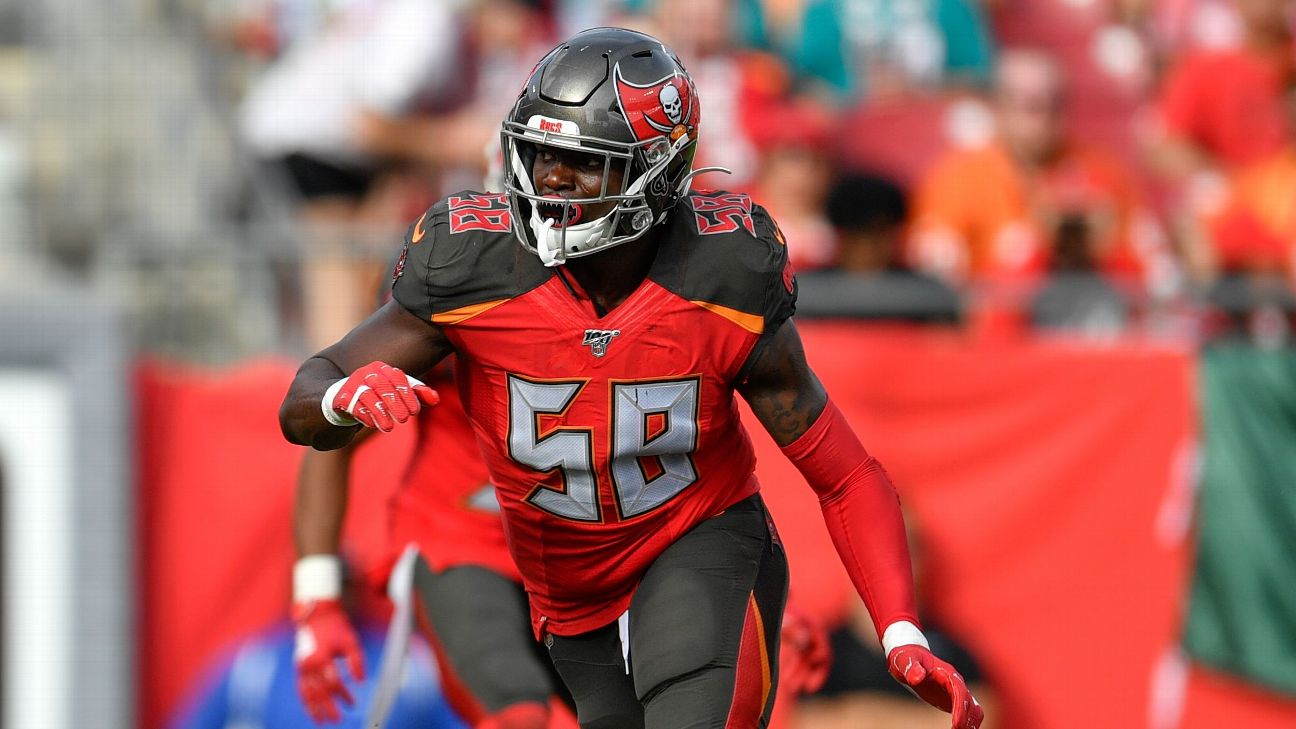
{"type": "Point", "coordinates": [446, 503]}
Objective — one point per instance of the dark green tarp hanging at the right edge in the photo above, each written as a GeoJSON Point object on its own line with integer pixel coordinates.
{"type": "Point", "coordinates": [1242, 613]}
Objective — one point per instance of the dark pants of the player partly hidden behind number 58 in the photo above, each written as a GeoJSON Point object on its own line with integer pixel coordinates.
{"type": "Point", "coordinates": [480, 627]}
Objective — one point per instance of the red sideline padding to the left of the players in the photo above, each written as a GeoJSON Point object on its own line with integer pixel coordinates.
{"type": "Point", "coordinates": [216, 497]}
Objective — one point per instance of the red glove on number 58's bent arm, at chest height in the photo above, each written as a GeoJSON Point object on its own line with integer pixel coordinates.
{"type": "Point", "coordinates": [376, 396]}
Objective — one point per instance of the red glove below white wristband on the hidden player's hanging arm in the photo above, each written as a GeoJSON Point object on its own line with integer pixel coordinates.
{"type": "Point", "coordinates": [325, 635]}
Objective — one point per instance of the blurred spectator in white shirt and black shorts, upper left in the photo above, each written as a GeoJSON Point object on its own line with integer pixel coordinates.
{"type": "Point", "coordinates": [303, 121]}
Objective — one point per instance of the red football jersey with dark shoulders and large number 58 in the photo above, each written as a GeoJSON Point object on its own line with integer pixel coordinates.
{"type": "Point", "coordinates": [607, 438]}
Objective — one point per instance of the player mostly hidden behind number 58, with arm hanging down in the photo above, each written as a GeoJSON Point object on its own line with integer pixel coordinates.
{"type": "Point", "coordinates": [469, 595]}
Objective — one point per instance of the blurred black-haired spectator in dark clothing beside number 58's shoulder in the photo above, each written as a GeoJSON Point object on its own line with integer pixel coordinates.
{"type": "Point", "coordinates": [872, 281]}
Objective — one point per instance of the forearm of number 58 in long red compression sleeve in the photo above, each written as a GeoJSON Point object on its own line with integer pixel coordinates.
{"type": "Point", "coordinates": [862, 513]}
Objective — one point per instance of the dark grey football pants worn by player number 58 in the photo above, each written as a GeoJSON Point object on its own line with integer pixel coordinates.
{"type": "Point", "coordinates": [704, 635]}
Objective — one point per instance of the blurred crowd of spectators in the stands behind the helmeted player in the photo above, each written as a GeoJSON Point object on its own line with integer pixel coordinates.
{"type": "Point", "coordinates": [1093, 167]}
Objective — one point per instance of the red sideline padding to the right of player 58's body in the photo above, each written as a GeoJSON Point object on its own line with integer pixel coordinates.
{"type": "Point", "coordinates": [1039, 474]}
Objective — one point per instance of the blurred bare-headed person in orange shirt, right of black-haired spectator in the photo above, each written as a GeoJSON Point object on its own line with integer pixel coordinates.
{"type": "Point", "coordinates": [996, 212]}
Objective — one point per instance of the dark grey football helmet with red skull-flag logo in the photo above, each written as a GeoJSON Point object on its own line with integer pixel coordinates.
{"type": "Point", "coordinates": [611, 94]}
